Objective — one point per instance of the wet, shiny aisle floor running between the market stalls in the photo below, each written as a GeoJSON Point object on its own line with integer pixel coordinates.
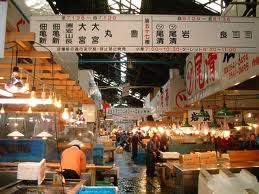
{"type": "Point", "coordinates": [133, 180]}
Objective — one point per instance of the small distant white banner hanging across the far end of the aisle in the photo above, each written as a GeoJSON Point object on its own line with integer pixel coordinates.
{"type": "Point", "coordinates": [128, 111]}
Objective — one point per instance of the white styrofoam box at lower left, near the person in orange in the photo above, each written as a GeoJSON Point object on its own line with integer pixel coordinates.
{"type": "Point", "coordinates": [32, 171]}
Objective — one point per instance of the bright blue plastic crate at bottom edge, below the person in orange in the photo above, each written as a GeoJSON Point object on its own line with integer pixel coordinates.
{"type": "Point", "coordinates": [98, 190]}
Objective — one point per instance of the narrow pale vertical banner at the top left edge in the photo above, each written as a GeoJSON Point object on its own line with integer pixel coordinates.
{"type": "Point", "coordinates": [3, 14]}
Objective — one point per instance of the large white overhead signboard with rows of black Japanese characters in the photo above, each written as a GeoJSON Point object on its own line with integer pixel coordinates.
{"type": "Point", "coordinates": [146, 33]}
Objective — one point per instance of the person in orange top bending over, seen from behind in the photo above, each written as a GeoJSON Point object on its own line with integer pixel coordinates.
{"type": "Point", "coordinates": [73, 162]}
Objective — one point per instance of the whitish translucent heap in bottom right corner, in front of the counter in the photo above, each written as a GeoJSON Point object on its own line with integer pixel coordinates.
{"type": "Point", "coordinates": [228, 183]}
